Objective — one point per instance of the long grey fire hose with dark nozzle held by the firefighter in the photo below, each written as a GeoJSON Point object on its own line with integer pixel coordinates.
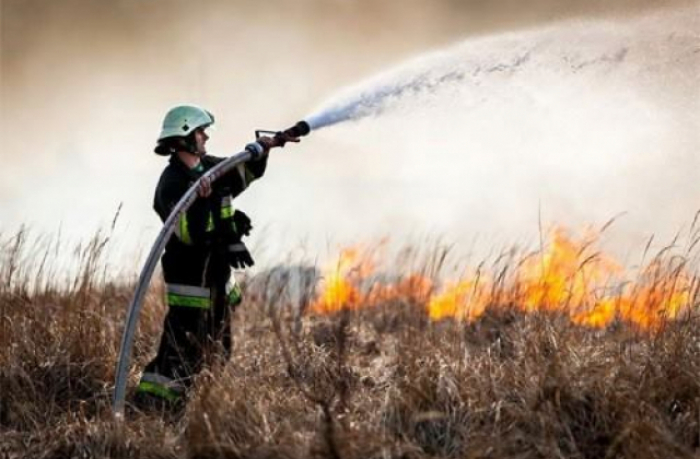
{"type": "Point", "coordinates": [122, 370]}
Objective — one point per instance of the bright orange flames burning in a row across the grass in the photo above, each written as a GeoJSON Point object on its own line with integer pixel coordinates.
{"type": "Point", "coordinates": [568, 276]}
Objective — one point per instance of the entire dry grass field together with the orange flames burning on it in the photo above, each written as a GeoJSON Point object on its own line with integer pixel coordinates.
{"type": "Point", "coordinates": [558, 353]}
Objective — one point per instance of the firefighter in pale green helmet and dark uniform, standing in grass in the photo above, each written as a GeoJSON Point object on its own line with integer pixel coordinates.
{"type": "Point", "coordinates": [207, 241]}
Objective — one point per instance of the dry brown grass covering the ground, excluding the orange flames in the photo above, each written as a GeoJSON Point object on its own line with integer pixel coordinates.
{"type": "Point", "coordinates": [381, 382]}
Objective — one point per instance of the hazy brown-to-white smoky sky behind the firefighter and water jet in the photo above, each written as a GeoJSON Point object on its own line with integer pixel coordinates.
{"type": "Point", "coordinates": [85, 85]}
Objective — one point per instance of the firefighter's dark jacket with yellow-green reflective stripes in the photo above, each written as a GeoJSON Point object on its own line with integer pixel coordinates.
{"type": "Point", "coordinates": [195, 255]}
